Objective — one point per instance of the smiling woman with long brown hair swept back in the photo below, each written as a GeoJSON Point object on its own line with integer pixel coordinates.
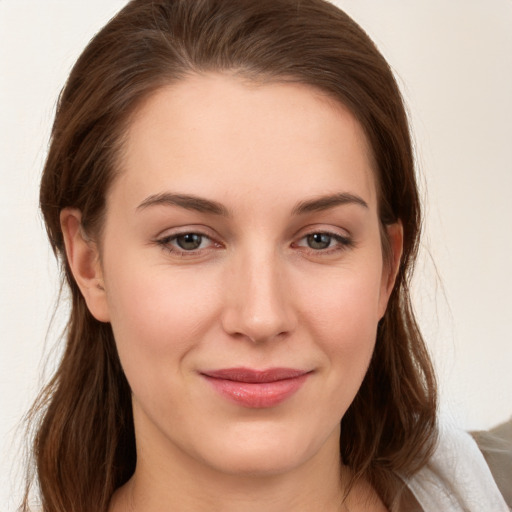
{"type": "Point", "coordinates": [230, 188]}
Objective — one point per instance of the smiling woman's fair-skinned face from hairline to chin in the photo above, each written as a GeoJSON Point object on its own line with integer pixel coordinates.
{"type": "Point", "coordinates": [243, 272]}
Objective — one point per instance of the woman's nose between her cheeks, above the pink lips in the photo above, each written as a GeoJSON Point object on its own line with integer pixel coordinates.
{"type": "Point", "coordinates": [258, 301]}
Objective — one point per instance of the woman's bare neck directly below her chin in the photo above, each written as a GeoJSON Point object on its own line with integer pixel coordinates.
{"type": "Point", "coordinates": [177, 482]}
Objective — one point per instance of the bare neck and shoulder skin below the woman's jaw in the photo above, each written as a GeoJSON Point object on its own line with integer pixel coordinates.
{"type": "Point", "coordinates": [168, 478]}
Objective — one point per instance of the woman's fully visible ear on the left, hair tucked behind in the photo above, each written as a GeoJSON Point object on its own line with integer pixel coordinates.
{"type": "Point", "coordinates": [84, 261]}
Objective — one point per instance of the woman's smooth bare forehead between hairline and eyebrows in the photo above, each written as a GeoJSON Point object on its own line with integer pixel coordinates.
{"type": "Point", "coordinates": [218, 133]}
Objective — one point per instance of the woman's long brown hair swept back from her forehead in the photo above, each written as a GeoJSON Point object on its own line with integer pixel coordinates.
{"type": "Point", "coordinates": [84, 447]}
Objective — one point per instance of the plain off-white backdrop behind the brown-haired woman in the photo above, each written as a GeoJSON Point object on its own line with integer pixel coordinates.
{"type": "Point", "coordinates": [453, 60]}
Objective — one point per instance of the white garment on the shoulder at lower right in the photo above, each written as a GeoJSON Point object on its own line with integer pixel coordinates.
{"type": "Point", "coordinates": [457, 478]}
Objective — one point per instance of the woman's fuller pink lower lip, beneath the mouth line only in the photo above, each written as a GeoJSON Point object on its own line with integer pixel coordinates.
{"type": "Point", "coordinates": [260, 394]}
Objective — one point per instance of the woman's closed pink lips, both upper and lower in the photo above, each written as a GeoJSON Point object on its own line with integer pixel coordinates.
{"type": "Point", "coordinates": [257, 388]}
